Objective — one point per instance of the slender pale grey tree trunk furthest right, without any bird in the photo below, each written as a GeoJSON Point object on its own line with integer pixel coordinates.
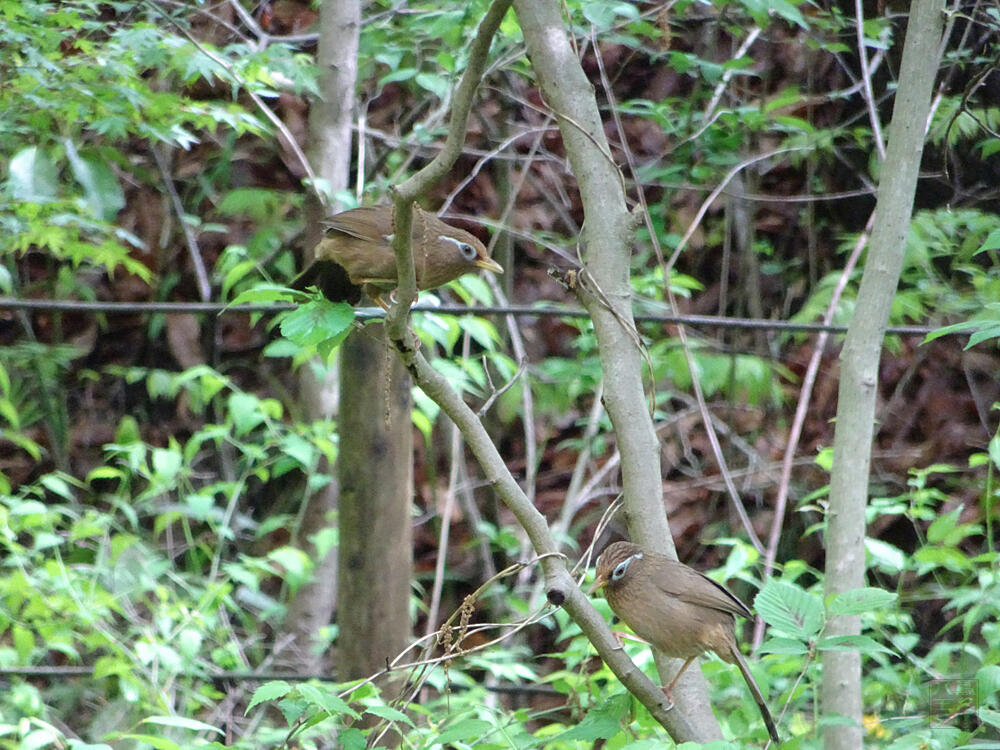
{"type": "Point", "coordinates": [845, 535]}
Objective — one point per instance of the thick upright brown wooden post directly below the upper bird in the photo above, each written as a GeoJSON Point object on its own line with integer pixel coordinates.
{"type": "Point", "coordinates": [375, 467]}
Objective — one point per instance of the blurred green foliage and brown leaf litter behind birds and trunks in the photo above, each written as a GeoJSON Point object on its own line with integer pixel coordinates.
{"type": "Point", "coordinates": [153, 466]}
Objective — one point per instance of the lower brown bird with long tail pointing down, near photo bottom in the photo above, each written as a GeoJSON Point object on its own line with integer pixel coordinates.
{"type": "Point", "coordinates": [677, 609]}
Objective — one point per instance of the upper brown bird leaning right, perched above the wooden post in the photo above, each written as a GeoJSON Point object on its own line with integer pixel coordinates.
{"type": "Point", "coordinates": [355, 256]}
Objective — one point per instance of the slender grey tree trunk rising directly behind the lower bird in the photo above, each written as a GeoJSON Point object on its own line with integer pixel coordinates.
{"type": "Point", "coordinates": [605, 291]}
